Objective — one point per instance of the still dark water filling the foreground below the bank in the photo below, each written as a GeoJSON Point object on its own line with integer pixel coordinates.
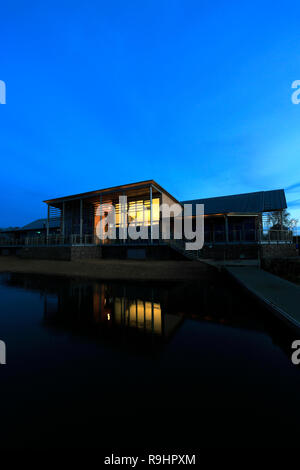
{"type": "Point", "coordinates": [117, 366]}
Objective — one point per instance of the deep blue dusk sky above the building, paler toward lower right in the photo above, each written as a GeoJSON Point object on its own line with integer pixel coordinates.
{"type": "Point", "coordinates": [196, 95]}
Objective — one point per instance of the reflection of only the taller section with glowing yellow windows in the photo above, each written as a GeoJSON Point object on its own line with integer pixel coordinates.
{"type": "Point", "coordinates": [110, 307]}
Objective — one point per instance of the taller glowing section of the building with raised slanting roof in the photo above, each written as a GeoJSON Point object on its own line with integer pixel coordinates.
{"type": "Point", "coordinates": [80, 214]}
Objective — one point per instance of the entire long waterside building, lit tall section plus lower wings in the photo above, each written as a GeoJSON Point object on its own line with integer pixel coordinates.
{"type": "Point", "coordinates": [229, 221]}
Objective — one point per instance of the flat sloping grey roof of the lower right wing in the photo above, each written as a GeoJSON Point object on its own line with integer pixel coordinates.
{"type": "Point", "coordinates": [260, 201]}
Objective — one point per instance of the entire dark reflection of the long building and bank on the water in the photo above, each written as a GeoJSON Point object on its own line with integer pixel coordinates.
{"type": "Point", "coordinates": [146, 312]}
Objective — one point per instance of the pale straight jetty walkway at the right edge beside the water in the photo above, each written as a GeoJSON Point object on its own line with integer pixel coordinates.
{"type": "Point", "coordinates": [279, 295]}
